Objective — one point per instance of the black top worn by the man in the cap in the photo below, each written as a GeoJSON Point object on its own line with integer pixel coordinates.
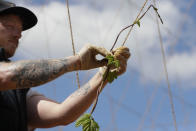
{"type": "Point", "coordinates": [13, 110]}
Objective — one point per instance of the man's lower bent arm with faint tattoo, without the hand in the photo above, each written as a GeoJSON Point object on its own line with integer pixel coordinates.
{"type": "Point", "coordinates": [46, 113]}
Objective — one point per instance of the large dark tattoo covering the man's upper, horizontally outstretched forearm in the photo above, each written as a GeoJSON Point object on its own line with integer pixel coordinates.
{"type": "Point", "coordinates": [33, 73]}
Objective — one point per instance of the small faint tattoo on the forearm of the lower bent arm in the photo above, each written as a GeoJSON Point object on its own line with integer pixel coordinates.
{"type": "Point", "coordinates": [82, 91]}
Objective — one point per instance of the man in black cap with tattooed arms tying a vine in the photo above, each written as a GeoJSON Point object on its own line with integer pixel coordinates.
{"type": "Point", "coordinates": [20, 107]}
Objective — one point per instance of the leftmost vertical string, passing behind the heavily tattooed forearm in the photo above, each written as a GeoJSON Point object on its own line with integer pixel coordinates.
{"type": "Point", "coordinates": [73, 47]}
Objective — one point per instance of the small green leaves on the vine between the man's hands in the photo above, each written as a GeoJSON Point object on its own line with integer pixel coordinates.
{"type": "Point", "coordinates": [112, 62]}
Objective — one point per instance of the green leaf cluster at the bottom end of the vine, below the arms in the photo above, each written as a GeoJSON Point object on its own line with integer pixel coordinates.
{"type": "Point", "coordinates": [87, 122]}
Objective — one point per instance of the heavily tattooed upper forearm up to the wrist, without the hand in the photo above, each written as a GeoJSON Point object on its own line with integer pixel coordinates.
{"type": "Point", "coordinates": [26, 74]}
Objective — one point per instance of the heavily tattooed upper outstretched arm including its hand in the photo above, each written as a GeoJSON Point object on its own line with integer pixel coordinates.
{"type": "Point", "coordinates": [26, 74]}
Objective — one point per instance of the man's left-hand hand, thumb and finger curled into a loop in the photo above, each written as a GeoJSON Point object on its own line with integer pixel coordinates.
{"type": "Point", "coordinates": [88, 57]}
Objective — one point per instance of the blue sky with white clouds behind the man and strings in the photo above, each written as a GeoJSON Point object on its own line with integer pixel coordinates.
{"type": "Point", "coordinates": [137, 100]}
